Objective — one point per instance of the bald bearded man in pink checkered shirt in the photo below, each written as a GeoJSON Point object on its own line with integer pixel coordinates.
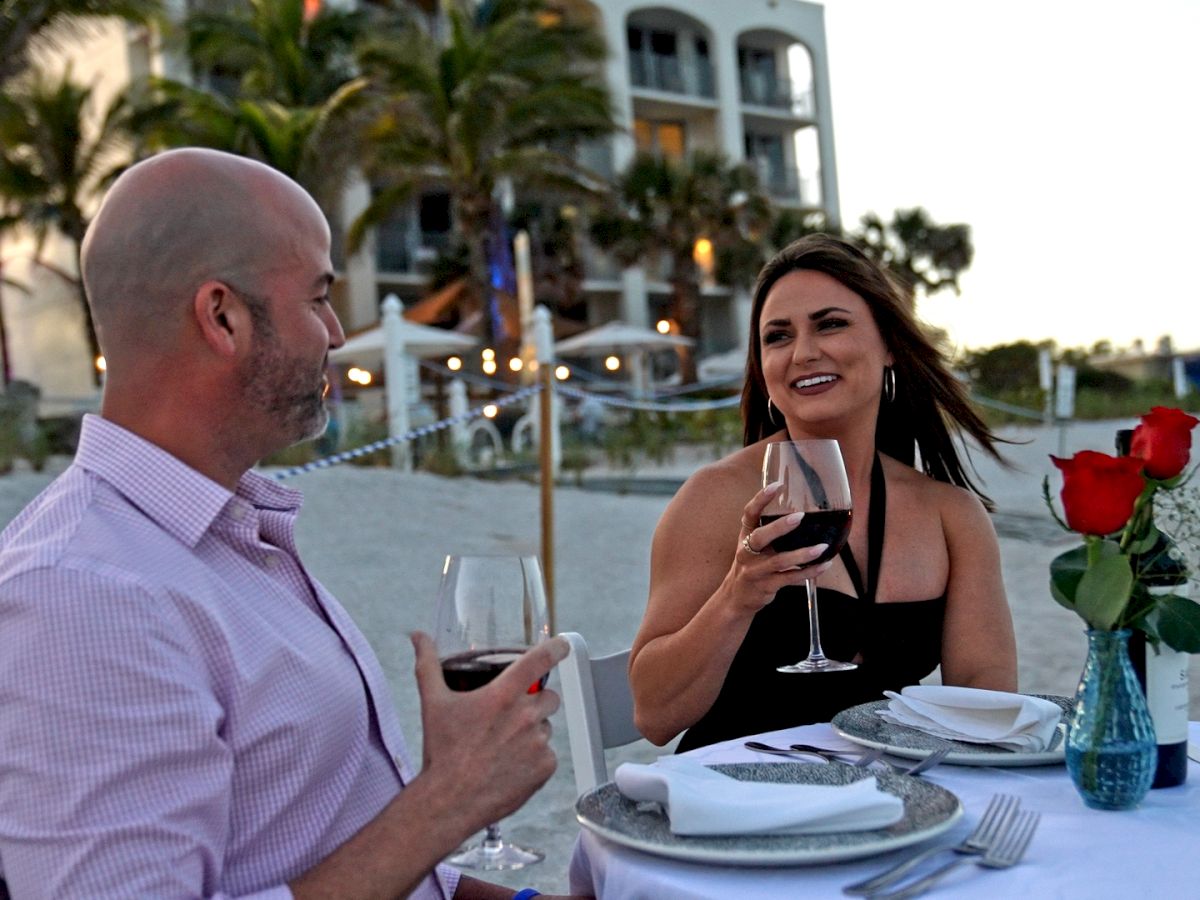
{"type": "Point", "coordinates": [184, 712]}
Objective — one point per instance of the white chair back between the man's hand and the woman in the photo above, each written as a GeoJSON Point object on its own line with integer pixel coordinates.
{"type": "Point", "coordinates": [599, 709]}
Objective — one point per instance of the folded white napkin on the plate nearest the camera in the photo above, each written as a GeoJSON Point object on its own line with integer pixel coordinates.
{"type": "Point", "coordinates": [703, 801]}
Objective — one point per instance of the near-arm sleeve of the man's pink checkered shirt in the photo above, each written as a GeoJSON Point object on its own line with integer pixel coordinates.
{"type": "Point", "coordinates": [115, 777]}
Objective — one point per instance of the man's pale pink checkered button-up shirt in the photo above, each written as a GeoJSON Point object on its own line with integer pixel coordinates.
{"type": "Point", "coordinates": [184, 712]}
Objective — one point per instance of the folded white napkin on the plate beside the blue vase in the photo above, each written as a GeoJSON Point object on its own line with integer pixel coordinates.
{"type": "Point", "coordinates": [1010, 721]}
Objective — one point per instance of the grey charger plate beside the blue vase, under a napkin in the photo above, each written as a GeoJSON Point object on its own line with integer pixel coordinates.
{"type": "Point", "coordinates": [863, 725]}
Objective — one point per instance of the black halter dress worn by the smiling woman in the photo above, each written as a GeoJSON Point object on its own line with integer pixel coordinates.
{"type": "Point", "coordinates": [899, 644]}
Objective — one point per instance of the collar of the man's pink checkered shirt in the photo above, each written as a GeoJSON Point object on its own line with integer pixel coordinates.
{"type": "Point", "coordinates": [177, 497]}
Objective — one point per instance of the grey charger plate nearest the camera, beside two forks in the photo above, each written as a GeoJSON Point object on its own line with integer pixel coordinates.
{"type": "Point", "coordinates": [928, 812]}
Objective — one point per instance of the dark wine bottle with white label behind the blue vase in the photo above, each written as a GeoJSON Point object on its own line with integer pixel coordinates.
{"type": "Point", "coordinates": [1162, 671]}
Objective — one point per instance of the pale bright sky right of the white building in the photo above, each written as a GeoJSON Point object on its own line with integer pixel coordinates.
{"type": "Point", "coordinates": [1064, 133]}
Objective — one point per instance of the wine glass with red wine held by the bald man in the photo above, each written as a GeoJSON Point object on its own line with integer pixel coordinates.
{"type": "Point", "coordinates": [491, 609]}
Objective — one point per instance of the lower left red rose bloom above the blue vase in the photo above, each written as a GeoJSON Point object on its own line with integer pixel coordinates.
{"type": "Point", "coordinates": [1099, 491]}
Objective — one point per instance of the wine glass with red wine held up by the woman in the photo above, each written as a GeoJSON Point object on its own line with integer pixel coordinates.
{"type": "Point", "coordinates": [814, 483]}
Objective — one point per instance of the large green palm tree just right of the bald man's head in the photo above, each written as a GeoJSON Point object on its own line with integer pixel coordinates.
{"type": "Point", "coordinates": [505, 99]}
